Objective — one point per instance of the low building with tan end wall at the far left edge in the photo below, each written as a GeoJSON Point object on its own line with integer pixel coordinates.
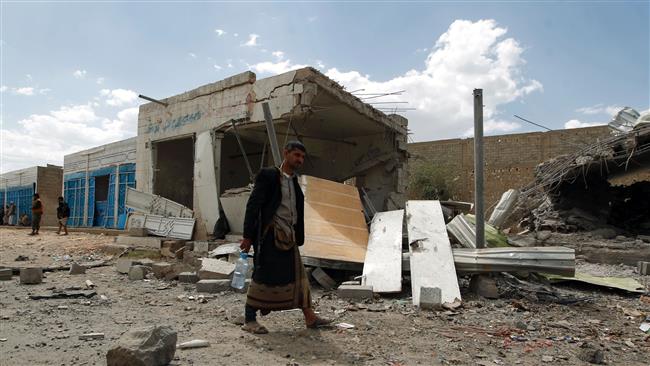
{"type": "Point", "coordinates": [19, 186]}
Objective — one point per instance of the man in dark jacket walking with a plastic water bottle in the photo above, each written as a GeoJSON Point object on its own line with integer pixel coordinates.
{"type": "Point", "coordinates": [274, 225]}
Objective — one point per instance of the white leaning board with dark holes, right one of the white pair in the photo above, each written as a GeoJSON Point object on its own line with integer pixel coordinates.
{"type": "Point", "coordinates": [432, 261]}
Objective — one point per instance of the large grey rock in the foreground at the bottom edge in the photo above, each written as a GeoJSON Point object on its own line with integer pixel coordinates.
{"type": "Point", "coordinates": [150, 346]}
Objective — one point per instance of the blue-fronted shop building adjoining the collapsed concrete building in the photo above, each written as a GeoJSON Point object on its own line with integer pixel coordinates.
{"type": "Point", "coordinates": [95, 182]}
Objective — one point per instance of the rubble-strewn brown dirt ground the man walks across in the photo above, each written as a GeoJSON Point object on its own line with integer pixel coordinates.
{"type": "Point", "coordinates": [387, 331]}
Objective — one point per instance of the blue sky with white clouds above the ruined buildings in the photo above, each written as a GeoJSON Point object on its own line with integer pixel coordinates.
{"type": "Point", "coordinates": [71, 72]}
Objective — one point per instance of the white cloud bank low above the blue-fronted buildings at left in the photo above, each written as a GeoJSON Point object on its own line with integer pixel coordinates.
{"type": "Point", "coordinates": [46, 138]}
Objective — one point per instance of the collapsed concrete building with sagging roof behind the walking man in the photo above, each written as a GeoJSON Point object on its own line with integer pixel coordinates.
{"type": "Point", "coordinates": [187, 149]}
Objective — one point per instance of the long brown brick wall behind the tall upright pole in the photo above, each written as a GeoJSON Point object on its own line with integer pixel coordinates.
{"type": "Point", "coordinates": [510, 160]}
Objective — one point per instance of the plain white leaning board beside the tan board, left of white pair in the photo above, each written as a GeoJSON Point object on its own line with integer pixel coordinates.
{"type": "Point", "coordinates": [382, 268]}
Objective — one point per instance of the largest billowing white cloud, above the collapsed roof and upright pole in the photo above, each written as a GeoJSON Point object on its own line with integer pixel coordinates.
{"type": "Point", "coordinates": [468, 55]}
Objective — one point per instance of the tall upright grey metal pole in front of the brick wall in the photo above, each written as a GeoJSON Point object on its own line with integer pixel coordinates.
{"type": "Point", "coordinates": [478, 168]}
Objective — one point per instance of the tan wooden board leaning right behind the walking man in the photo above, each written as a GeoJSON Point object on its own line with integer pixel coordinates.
{"type": "Point", "coordinates": [335, 227]}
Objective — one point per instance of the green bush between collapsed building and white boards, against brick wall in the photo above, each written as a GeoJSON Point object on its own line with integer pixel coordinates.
{"type": "Point", "coordinates": [430, 182]}
